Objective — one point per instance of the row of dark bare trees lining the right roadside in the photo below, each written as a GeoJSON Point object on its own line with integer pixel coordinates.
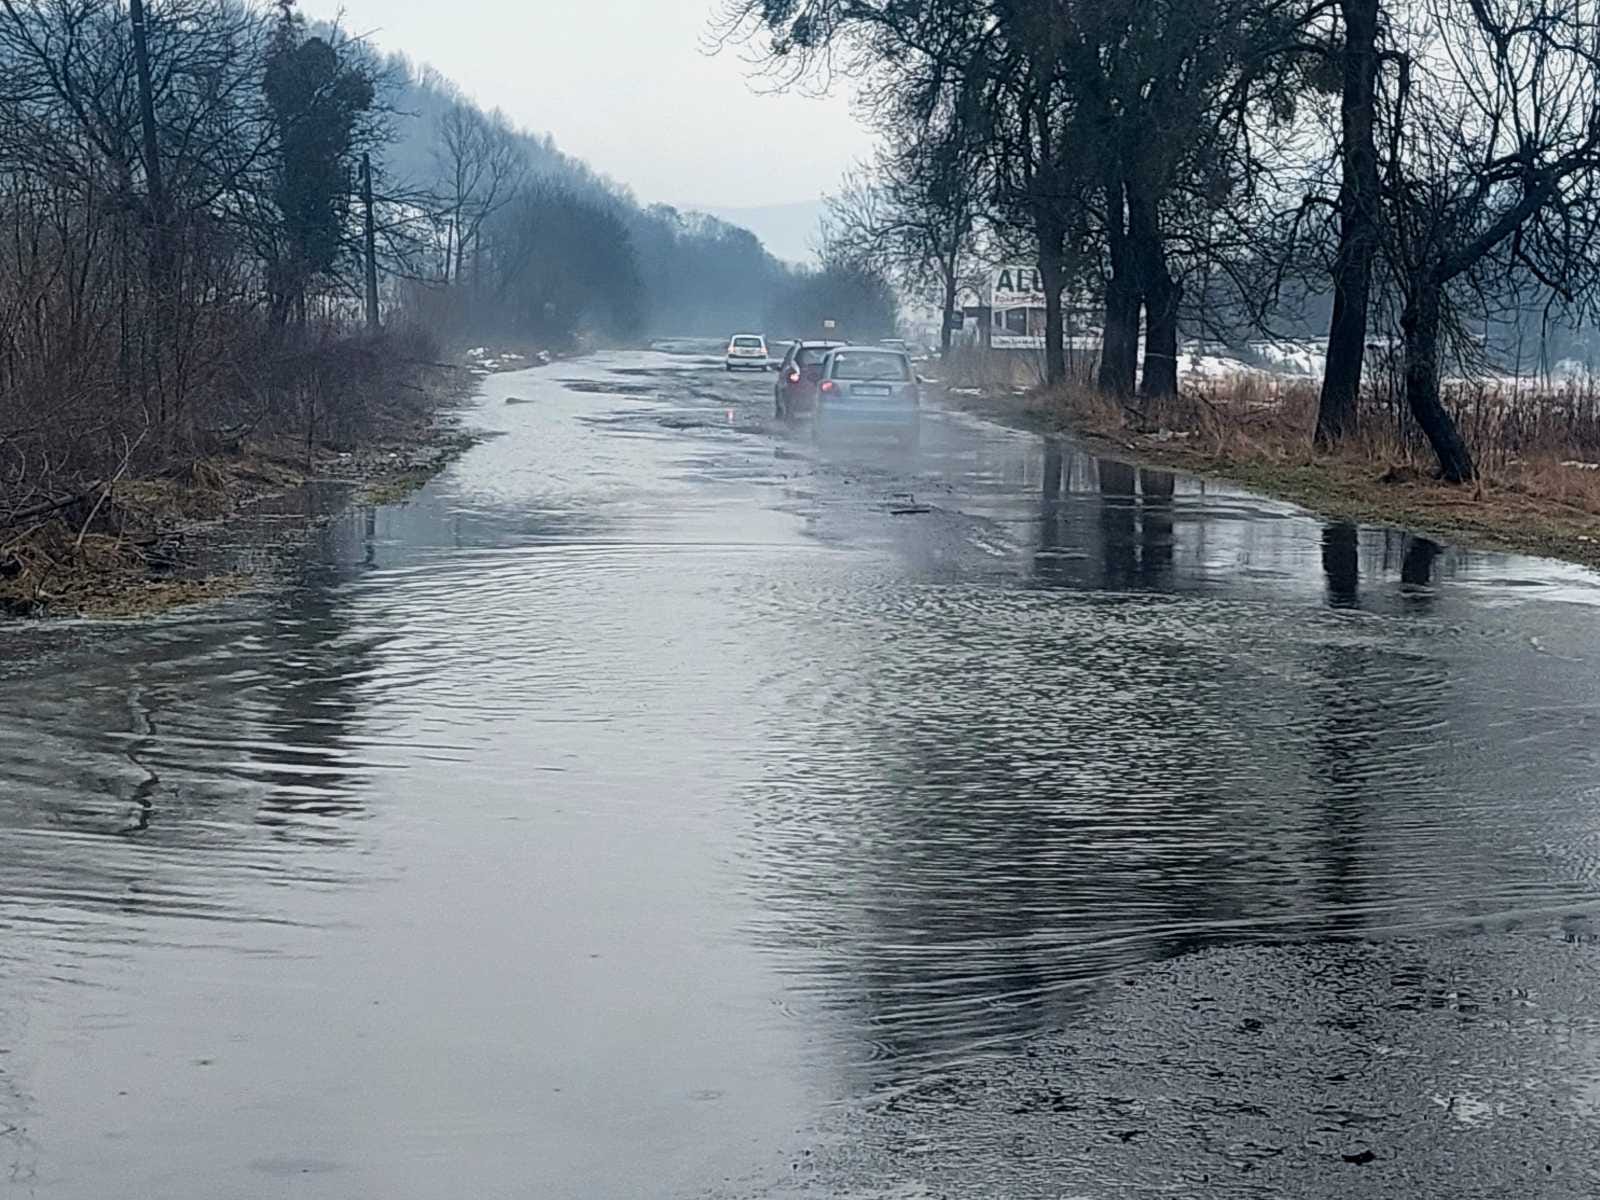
{"type": "Point", "coordinates": [1199, 162]}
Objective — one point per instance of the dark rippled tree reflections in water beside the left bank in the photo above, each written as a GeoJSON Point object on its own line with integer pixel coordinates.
{"type": "Point", "coordinates": [178, 732]}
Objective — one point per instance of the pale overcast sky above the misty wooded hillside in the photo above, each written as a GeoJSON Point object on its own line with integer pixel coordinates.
{"type": "Point", "coordinates": [625, 86]}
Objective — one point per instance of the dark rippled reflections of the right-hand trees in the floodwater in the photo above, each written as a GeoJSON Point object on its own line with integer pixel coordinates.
{"type": "Point", "coordinates": [1034, 799]}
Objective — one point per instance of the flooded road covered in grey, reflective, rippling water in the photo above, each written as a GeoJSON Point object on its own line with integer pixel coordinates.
{"type": "Point", "coordinates": [658, 807]}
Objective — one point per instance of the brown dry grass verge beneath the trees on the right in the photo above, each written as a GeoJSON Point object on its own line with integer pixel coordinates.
{"type": "Point", "coordinates": [1258, 433]}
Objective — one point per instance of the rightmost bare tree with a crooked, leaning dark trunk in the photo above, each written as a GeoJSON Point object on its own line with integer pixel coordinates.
{"type": "Point", "coordinates": [1494, 148]}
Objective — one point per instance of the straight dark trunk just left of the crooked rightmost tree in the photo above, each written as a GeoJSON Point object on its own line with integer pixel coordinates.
{"type": "Point", "coordinates": [1353, 271]}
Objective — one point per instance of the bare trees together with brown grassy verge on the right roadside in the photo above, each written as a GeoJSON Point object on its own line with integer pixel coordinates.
{"type": "Point", "coordinates": [1412, 183]}
